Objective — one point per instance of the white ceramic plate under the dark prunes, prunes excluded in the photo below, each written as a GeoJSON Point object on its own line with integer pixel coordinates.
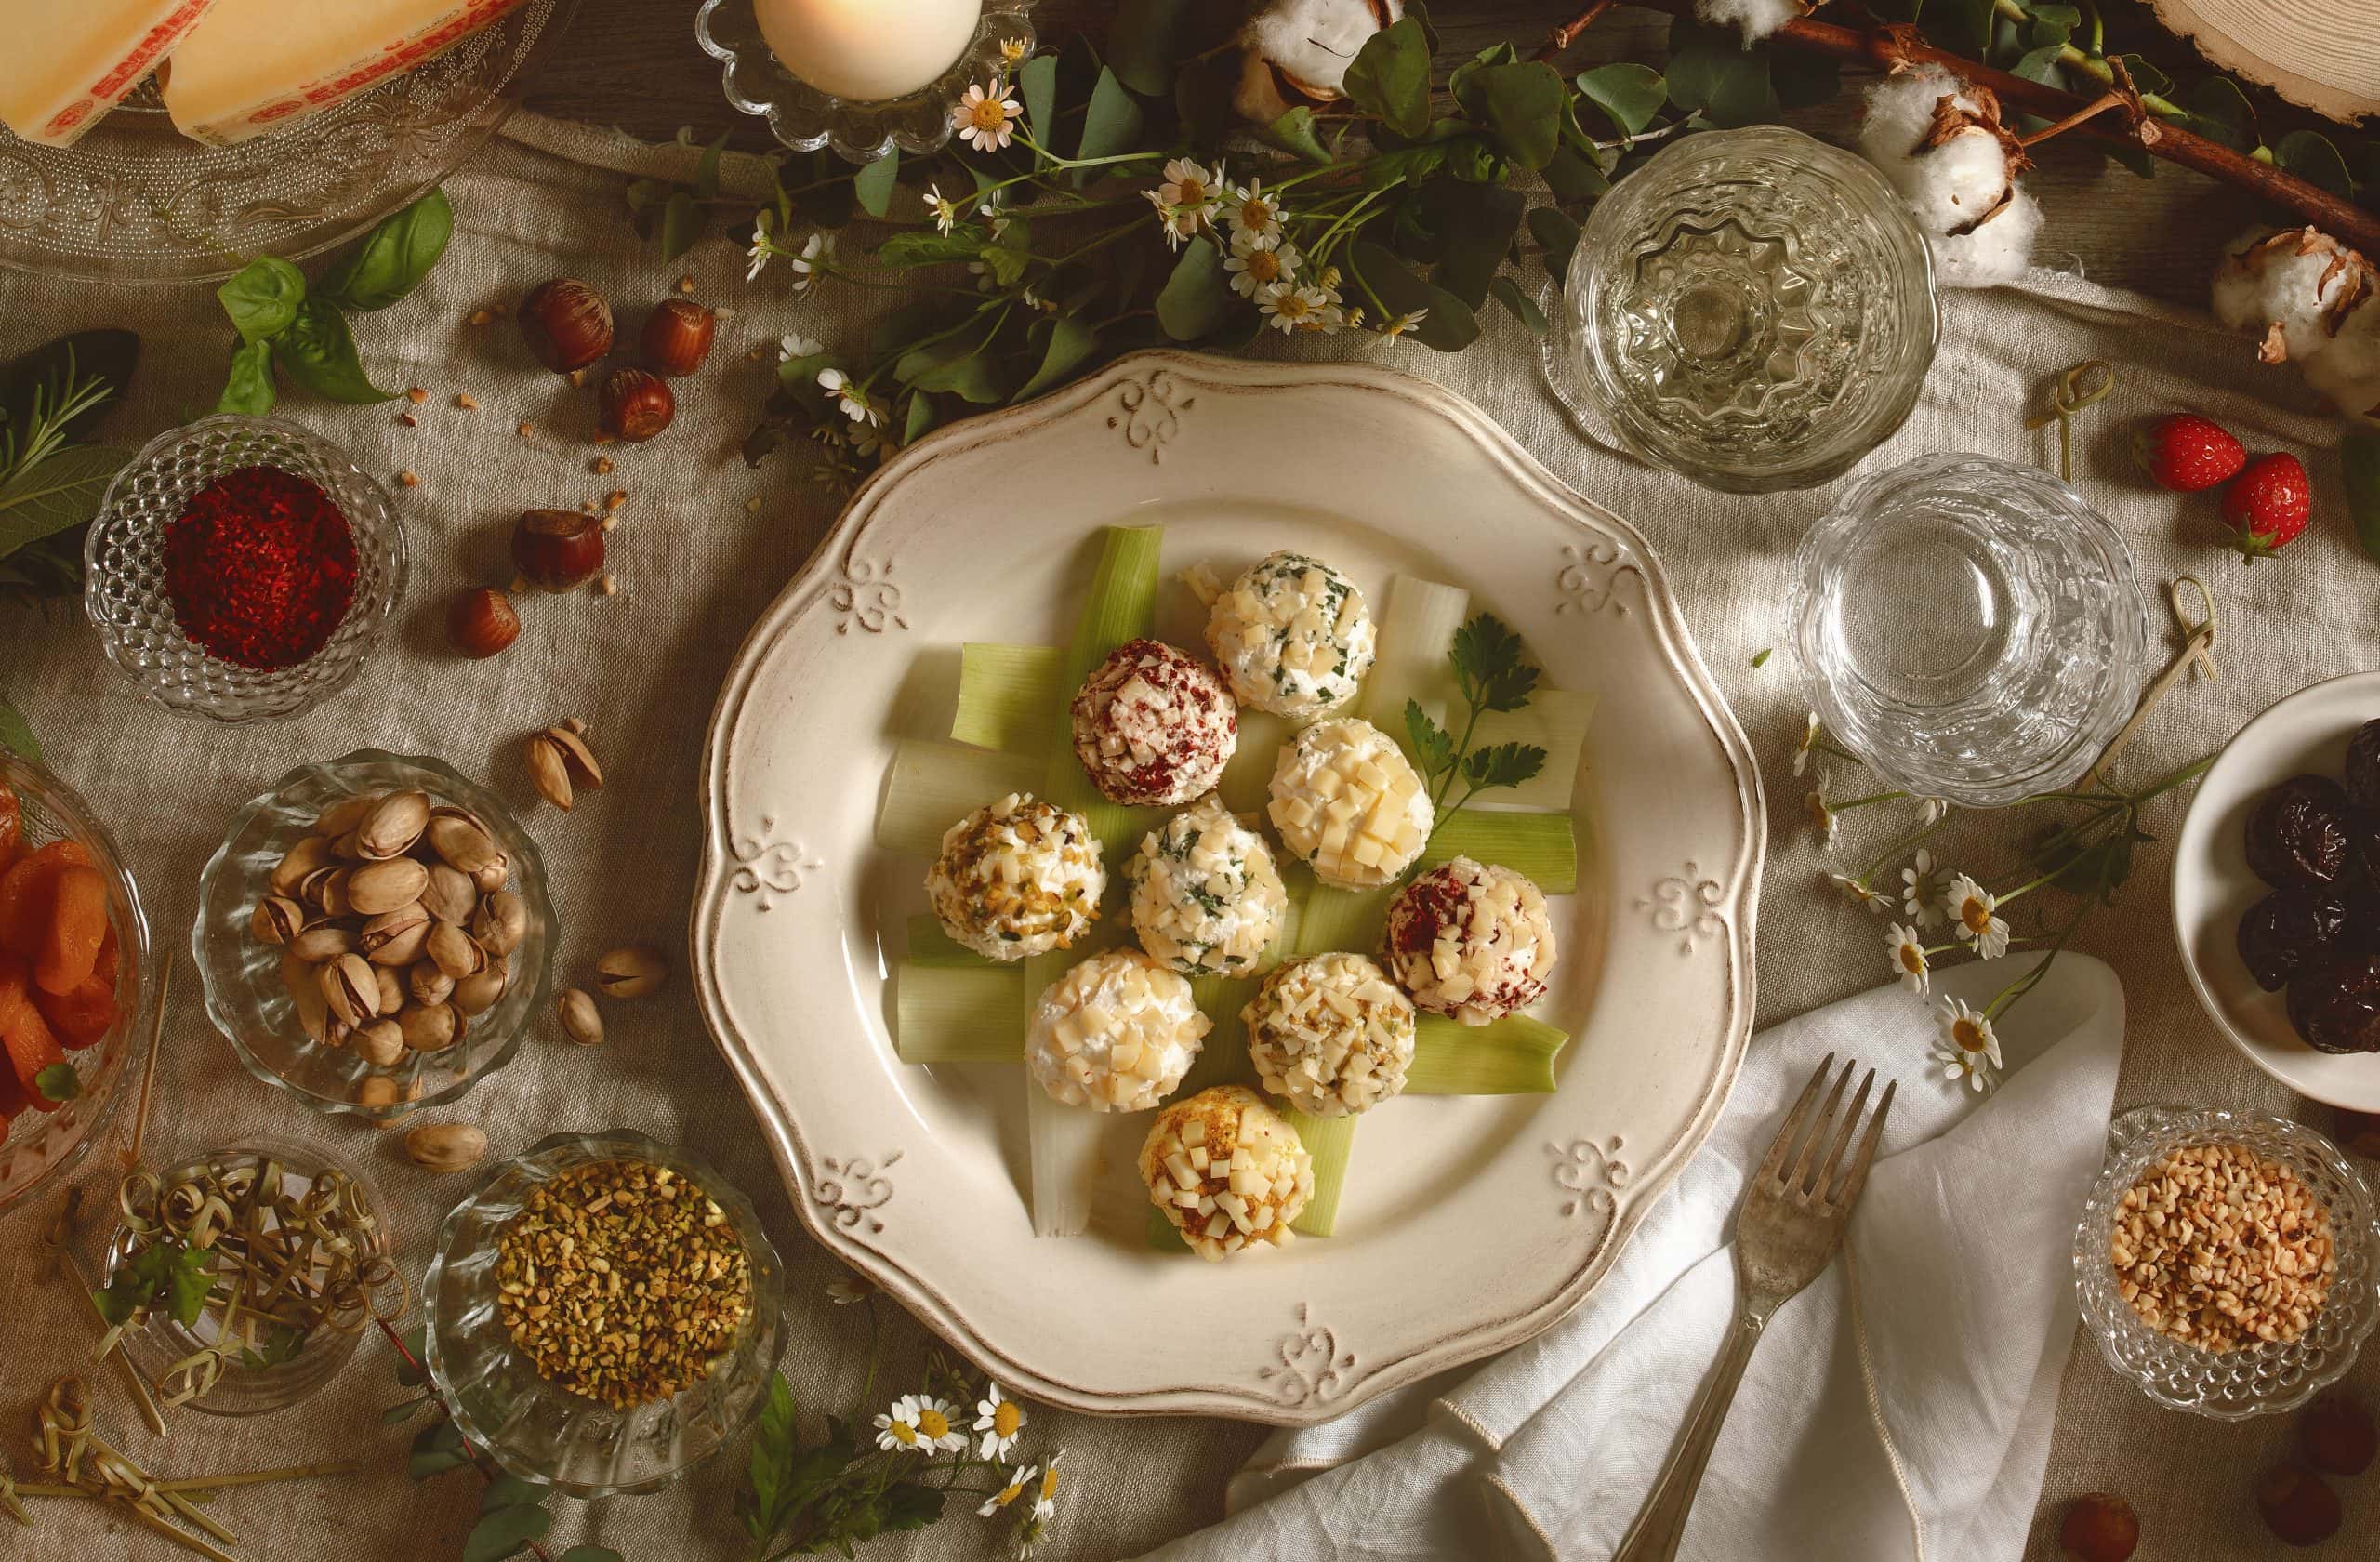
{"type": "Point", "coordinates": [2212, 885]}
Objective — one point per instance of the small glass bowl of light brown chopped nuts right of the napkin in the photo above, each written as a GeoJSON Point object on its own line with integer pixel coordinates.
{"type": "Point", "coordinates": [2226, 1261]}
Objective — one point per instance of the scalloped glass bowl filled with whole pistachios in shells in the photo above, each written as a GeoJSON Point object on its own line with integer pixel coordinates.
{"type": "Point", "coordinates": [375, 935]}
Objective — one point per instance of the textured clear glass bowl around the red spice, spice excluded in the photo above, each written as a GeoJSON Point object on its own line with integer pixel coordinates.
{"type": "Point", "coordinates": [125, 570]}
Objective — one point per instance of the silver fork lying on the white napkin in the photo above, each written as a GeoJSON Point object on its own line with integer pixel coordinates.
{"type": "Point", "coordinates": [1784, 1237]}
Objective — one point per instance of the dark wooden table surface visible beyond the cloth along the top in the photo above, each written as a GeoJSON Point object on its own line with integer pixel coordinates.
{"type": "Point", "coordinates": [634, 65]}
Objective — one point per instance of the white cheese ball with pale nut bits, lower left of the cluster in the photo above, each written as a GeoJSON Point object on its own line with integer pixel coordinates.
{"type": "Point", "coordinates": [1115, 1035]}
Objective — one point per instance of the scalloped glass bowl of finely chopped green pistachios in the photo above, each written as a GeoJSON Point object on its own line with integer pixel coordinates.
{"type": "Point", "coordinates": [603, 1313]}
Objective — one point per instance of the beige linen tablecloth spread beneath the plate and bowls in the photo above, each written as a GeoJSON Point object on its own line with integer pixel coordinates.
{"type": "Point", "coordinates": [696, 568]}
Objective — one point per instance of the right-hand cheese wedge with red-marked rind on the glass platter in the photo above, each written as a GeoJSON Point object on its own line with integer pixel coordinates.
{"type": "Point", "coordinates": [263, 65]}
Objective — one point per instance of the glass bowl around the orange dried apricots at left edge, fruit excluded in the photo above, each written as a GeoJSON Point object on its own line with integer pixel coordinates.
{"type": "Point", "coordinates": [44, 1146]}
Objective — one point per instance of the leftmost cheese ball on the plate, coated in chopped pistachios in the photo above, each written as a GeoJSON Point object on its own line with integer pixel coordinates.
{"type": "Point", "coordinates": [1017, 877]}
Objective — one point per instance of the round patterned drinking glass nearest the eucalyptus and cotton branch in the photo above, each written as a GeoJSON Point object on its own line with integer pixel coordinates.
{"type": "Point", "coordinates": [1753, 311]}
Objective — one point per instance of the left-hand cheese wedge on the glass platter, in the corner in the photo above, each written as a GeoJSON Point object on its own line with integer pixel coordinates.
{"type": "Point", "coordinates": [65, 63]}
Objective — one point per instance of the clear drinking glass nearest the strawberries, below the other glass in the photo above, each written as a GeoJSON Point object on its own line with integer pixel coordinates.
{"type": "Point", "coordinates": [1969, 627]}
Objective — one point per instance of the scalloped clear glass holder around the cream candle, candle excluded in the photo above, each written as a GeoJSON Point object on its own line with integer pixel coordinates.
{"type": "Point", "coordinates": [808, 115]}
